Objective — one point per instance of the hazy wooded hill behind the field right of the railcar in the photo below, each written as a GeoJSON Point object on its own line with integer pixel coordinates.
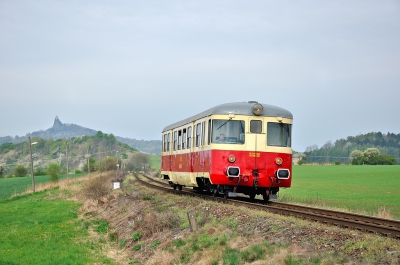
{"type": "Point", "coordinates": [340, 150]}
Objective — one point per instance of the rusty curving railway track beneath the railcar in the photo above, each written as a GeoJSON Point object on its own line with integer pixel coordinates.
{"type": "Point", "coordinates": [386, 227]}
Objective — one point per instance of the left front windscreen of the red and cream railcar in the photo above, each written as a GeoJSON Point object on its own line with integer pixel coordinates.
{"type": "Point", "coordinates": [227, 131]}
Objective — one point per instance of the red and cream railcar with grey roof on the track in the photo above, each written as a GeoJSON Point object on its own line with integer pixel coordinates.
{"type": "Point", "coordinates": [232, 148]}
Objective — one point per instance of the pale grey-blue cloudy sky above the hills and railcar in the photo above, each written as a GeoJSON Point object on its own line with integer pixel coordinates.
{"type": "Point", "coordinates": [133, 67]}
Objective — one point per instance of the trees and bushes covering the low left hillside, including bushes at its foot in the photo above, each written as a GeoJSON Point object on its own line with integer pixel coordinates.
{"type": "Point", "coordinates": [101, 152]}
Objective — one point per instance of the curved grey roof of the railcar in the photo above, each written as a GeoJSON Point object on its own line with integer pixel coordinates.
{"type": "Point", "coordinates": [237, 108]}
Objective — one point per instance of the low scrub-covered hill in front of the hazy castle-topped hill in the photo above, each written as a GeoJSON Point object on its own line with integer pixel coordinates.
{"type": "Point", "coordinates": [47, 151]}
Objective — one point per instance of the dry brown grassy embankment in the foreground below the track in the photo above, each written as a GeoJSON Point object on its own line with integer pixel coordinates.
{"type": "Point", "coordinates": [145, 226]}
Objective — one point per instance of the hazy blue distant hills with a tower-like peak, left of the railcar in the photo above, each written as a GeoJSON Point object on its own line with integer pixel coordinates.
{"type": "Point", "coordinates": [61, 130]}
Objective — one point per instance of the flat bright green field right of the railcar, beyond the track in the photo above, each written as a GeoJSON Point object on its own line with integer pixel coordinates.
{"type": "Point", "coordinates": [362, 189]}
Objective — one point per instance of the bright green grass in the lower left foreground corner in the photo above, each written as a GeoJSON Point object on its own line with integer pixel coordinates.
{"type": "Point", "coordinates": [41, 228]}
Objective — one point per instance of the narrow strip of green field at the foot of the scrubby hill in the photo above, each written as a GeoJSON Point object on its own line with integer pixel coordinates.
{"type": "Point", "coordinates": [11, 186]}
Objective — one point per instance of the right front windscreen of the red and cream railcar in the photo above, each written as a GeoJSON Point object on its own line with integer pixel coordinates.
{"type": "Point", "coordinates": [279, 134]}
